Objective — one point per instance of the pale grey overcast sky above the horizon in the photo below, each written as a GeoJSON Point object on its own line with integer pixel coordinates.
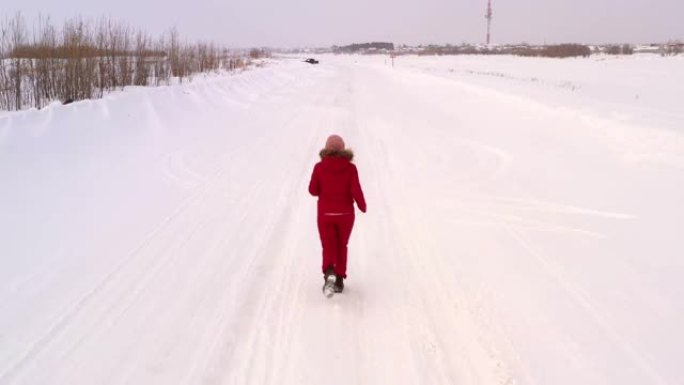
{"type": "Point", "coordinates": [293, 23]}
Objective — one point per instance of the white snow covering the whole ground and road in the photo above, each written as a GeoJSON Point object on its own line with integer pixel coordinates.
{"type": "Point", "coordinates": [523, 227]}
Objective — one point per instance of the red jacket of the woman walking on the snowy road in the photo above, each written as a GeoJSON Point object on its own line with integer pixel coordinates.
{"type": "Point", "coordinates": [335, 181]}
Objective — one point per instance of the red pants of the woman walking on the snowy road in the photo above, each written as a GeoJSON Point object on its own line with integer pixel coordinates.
{"type": "Point", "coordinates": [334, 231]}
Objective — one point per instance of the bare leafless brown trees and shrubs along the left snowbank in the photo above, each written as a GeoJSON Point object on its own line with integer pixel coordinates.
{"type": "Point", "coordinates": [86, 59]}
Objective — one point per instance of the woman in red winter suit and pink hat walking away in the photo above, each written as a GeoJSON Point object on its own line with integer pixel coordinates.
{"type": "Point", "coordinates": [335, 181]}
